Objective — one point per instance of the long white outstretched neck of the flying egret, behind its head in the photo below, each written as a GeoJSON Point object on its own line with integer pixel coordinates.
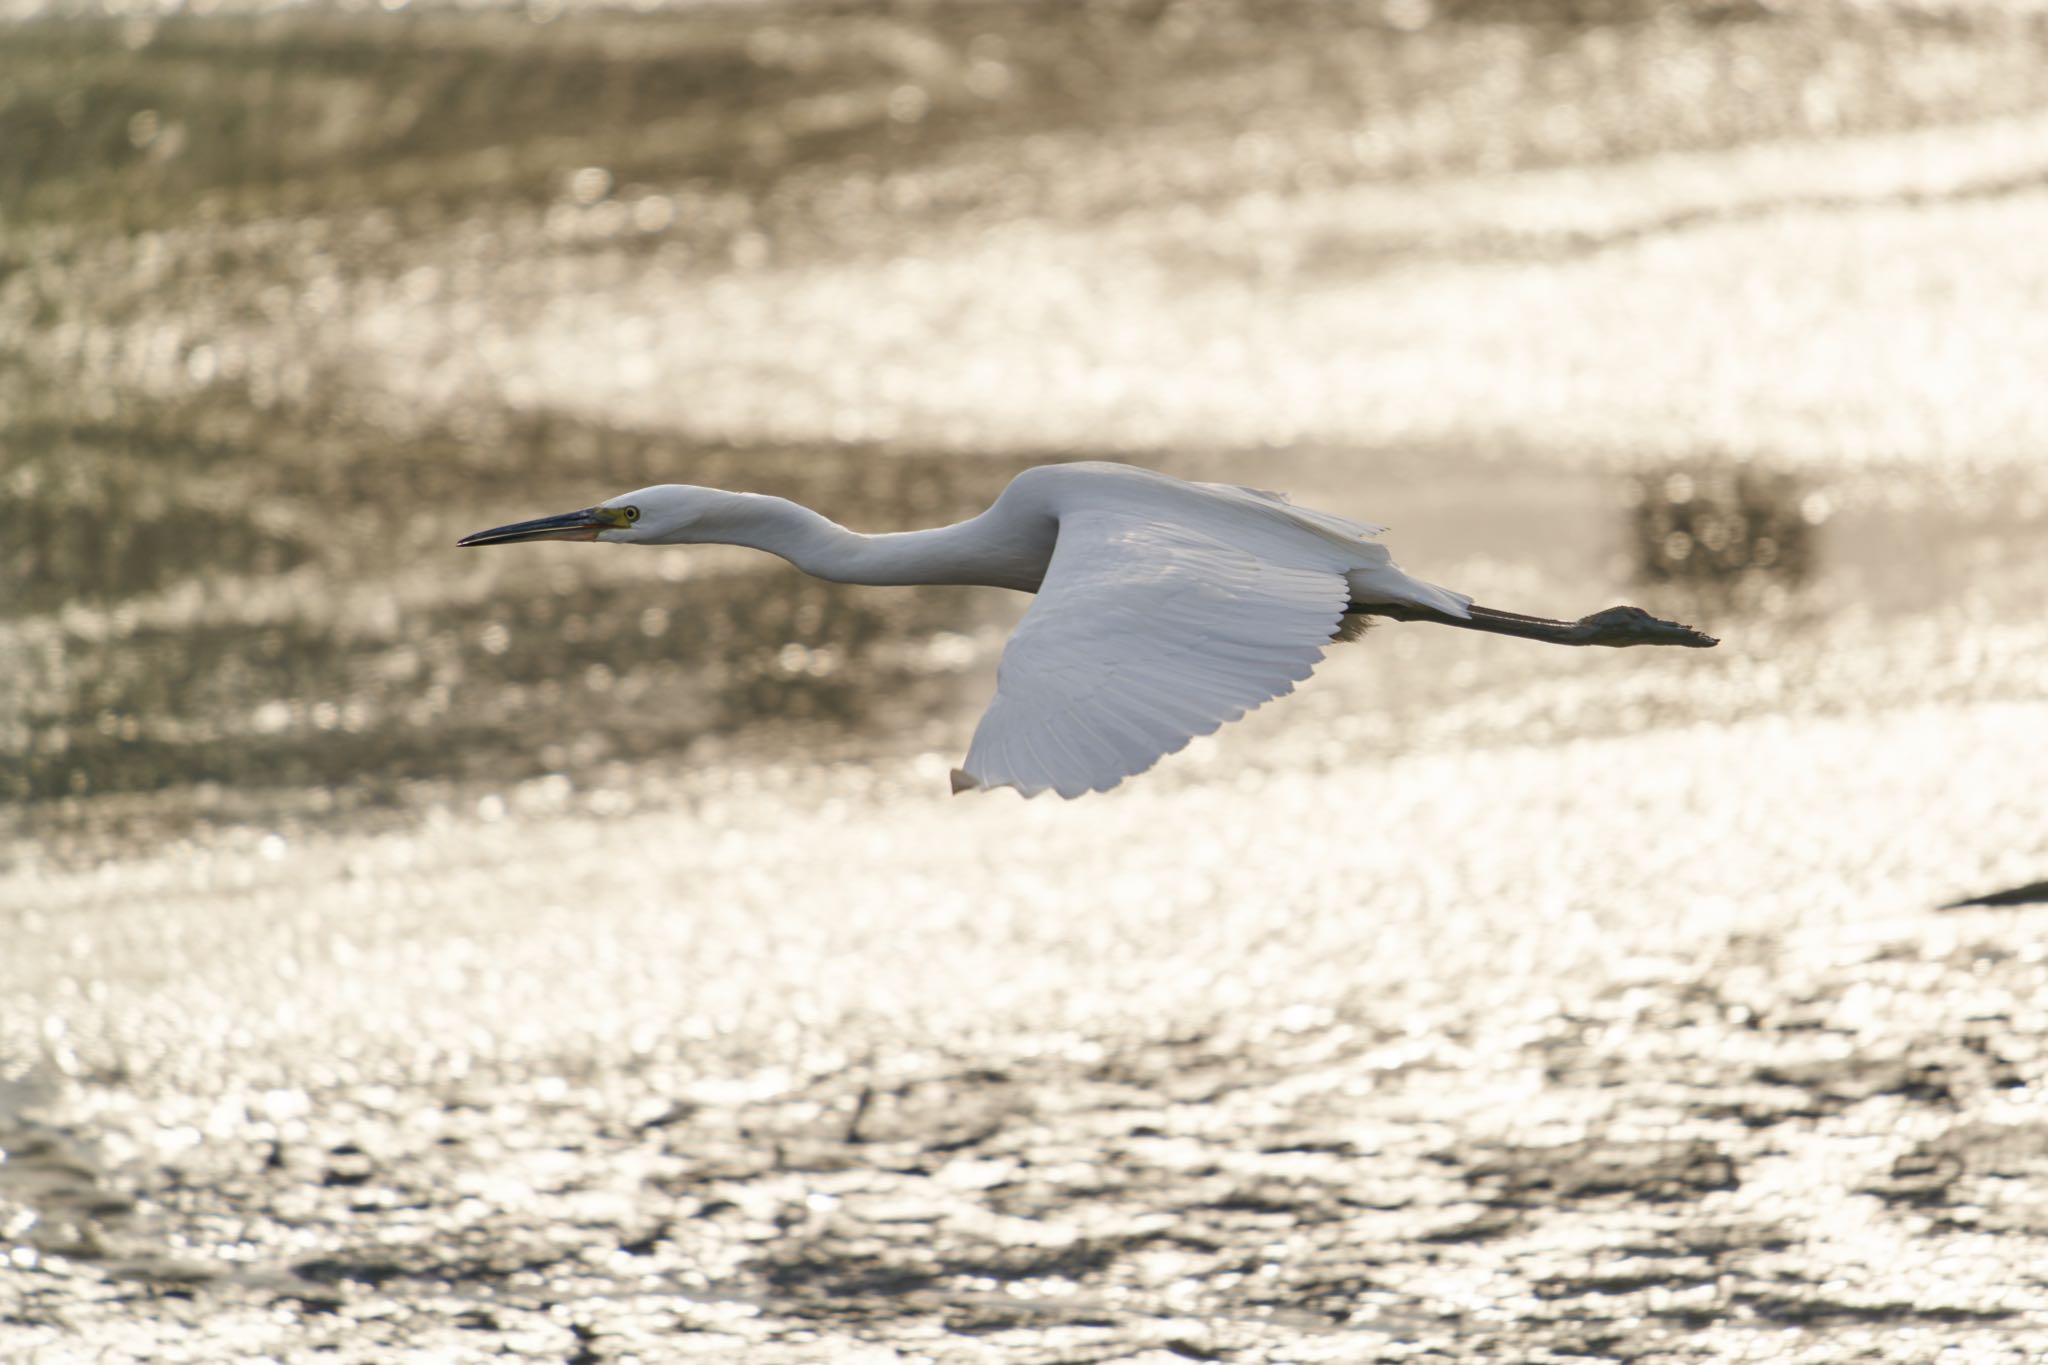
{"type": "Point", "coordinates": [976, 552]}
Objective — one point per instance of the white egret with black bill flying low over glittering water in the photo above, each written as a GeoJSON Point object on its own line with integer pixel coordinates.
{"type": "Point", "coordinates": [1164, 607]}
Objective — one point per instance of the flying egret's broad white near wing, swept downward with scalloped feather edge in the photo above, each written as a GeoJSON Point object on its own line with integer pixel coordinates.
{"type": "Point", "coordinates": [1144, 637]}
